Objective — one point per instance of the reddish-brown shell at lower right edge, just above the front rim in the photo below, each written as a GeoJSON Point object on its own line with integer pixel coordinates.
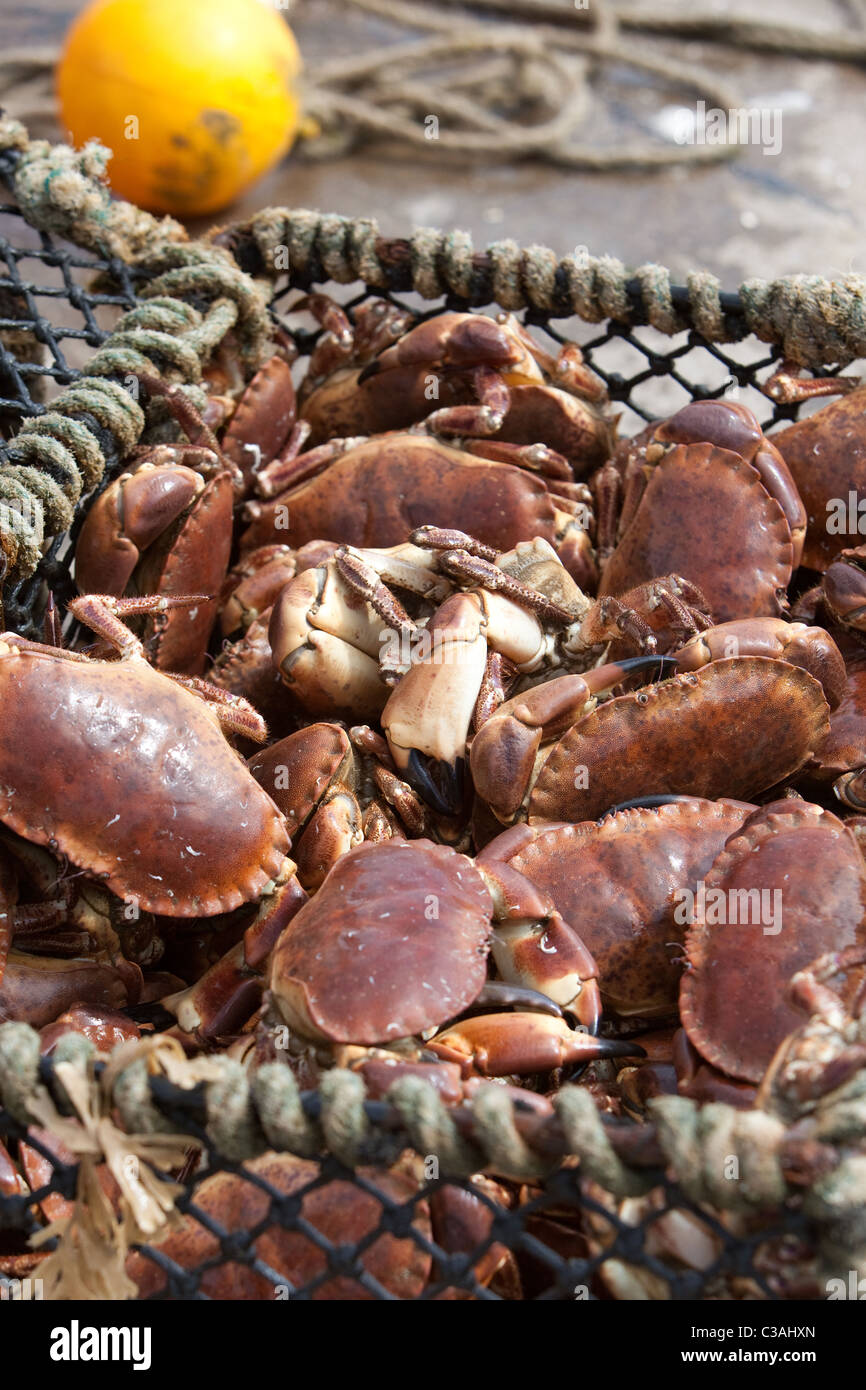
{"type": "Point", "coordinates": [735, 997]}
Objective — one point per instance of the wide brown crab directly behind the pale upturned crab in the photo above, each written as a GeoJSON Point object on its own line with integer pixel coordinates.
{"type": "Point", "coordinates": [411, 480]}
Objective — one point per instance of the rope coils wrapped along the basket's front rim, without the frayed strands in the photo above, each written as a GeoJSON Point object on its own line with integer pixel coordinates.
{"type": "Point", "coordinates": [244, 1115]}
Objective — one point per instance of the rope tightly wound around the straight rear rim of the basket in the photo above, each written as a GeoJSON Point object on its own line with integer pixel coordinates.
{"type": "Point", "coordinates": [817, 322]}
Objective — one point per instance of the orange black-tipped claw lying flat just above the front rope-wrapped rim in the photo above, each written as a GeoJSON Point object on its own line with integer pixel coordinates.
{"type": "Point", "coordinates": [519, 1045]}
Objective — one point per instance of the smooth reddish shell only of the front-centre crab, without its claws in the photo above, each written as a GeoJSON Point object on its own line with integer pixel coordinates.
{"type": "Point", "coordinates": [394, 943]}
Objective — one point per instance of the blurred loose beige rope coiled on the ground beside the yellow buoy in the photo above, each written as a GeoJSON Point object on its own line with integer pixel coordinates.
{"type": "Point", "coordinates": [505, 79]}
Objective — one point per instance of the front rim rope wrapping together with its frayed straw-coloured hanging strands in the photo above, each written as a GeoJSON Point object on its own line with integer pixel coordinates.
{"type": "Point", "coordinates": [721, 1159]}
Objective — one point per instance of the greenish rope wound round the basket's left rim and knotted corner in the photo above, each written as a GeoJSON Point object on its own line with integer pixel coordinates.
{"type": "Point", "coordinates": [194, 297]}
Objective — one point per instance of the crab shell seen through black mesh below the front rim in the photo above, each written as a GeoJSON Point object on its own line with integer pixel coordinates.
{"type": "Point", "coordinates": [341, 1213]}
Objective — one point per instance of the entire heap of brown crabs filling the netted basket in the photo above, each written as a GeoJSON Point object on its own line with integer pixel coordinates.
{"type": "Point", "coordinates": [427, 728]}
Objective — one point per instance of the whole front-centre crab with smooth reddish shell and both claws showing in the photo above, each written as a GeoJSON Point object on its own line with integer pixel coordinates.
{"type": "Point", "coordinates": [395, 945]}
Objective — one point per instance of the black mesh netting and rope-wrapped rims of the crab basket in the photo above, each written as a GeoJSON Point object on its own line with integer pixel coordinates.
{"type": "Point", "coordinates": [237, 1188]}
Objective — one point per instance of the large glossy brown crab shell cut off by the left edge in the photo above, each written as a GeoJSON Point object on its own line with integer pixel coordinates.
{"type": "Point", "coordinates": [130, 776]}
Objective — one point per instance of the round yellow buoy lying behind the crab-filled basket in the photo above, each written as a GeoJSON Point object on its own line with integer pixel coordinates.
{"type": "Point", "coordinates": [197, 98]}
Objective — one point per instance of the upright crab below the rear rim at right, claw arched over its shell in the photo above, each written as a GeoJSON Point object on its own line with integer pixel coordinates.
{"type": "Point", "coordinates": [704, 494]}
